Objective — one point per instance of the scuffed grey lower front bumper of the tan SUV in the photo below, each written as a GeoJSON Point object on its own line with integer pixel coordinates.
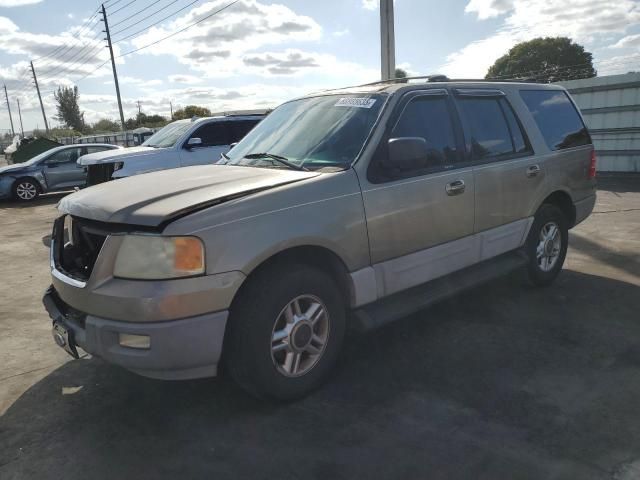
{"type": "Point", "coordinates": [179, 349]}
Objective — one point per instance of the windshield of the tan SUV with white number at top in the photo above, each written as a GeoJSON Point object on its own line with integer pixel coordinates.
{"type": "Point", "coordinates": [318, 132]}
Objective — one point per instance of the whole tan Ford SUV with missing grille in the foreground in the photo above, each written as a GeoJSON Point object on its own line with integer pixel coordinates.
{"type": "Point", "coordinates": [375, 200]}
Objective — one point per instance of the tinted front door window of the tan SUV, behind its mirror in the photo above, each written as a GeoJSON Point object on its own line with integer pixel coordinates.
{"type": "Point", "coordinates": [429, 118]}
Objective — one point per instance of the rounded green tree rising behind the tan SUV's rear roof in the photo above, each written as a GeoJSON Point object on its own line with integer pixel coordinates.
{"type": "Point", "coordinates": [544, 60]}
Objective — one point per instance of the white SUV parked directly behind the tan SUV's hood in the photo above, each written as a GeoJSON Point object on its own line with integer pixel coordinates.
{"type": "Point", "coordinates": [198, 141]}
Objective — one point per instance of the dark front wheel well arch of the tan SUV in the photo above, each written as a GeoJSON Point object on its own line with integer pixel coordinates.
{"type": "Point", "coordinates": [314, 256]}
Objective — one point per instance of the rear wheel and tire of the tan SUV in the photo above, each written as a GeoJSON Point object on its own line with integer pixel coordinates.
{"type": "Point", "coordinates": [546, 247]}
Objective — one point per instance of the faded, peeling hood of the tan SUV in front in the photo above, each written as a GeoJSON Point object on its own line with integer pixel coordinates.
{"type": "Point", "coordinates": [155, 198]}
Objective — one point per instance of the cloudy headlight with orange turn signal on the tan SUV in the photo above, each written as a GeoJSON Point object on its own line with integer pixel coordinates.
{"type": "Point", "coordinates": [150, 257]}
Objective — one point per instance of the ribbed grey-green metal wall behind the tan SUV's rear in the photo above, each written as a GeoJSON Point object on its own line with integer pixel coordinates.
{"type": "Point", "coordinates": [611, 108]}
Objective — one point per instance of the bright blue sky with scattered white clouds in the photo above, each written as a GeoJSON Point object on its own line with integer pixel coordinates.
{"type": "Point", "coordinates": [256, 54]}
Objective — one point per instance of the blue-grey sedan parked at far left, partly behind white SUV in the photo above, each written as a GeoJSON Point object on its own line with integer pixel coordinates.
{"type": "Point", "coordinates": [52, 170]}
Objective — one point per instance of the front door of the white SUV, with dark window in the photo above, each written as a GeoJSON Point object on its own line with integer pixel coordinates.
{"type": "Point", "coordinates": [215, 141]}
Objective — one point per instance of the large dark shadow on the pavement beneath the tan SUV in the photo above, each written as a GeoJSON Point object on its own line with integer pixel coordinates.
{"type": "Point", "coordinates": [502, 381]}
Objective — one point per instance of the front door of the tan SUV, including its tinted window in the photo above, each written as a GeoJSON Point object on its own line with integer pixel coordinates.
{"type": "Point", "coordinates": [420, 220]}
